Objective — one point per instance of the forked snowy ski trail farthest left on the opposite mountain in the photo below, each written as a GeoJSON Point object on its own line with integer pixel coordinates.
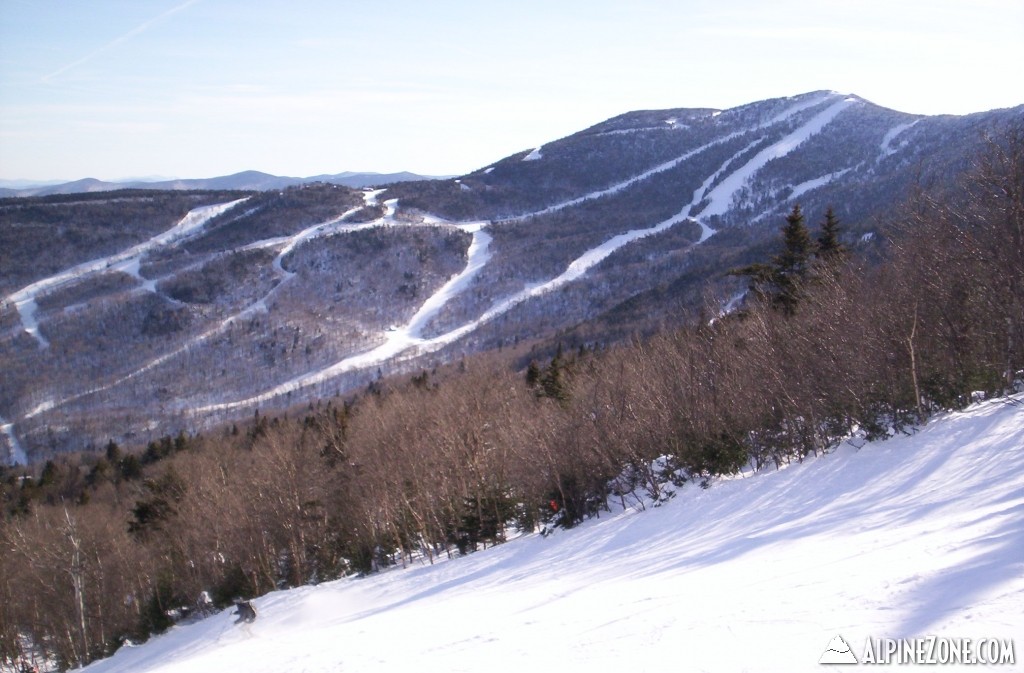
{"type": "Point", "coordinates": [126, 262]}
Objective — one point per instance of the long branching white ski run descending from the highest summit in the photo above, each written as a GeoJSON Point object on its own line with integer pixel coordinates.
{"type": "Point", "coordinates": [407, 343]}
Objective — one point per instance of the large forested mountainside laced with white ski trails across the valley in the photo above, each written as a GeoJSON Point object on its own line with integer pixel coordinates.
{"type": "Point", "coordinates": [141, 316]}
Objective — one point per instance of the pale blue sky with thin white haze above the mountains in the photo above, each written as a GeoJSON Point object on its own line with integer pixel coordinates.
{"type": "Point", "coordinates": [196, 89]}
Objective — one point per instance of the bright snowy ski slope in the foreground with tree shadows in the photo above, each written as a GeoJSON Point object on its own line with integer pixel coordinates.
{"type": "Point", "coordinates": [917, 536]}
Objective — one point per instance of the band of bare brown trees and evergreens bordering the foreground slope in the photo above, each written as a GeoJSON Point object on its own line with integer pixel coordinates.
{"type": "Point", "coordinates": [104, 550]}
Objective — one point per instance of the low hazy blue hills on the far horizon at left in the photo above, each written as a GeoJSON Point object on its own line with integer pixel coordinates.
{"type": "Point", "coordinates": [246, 181]}
